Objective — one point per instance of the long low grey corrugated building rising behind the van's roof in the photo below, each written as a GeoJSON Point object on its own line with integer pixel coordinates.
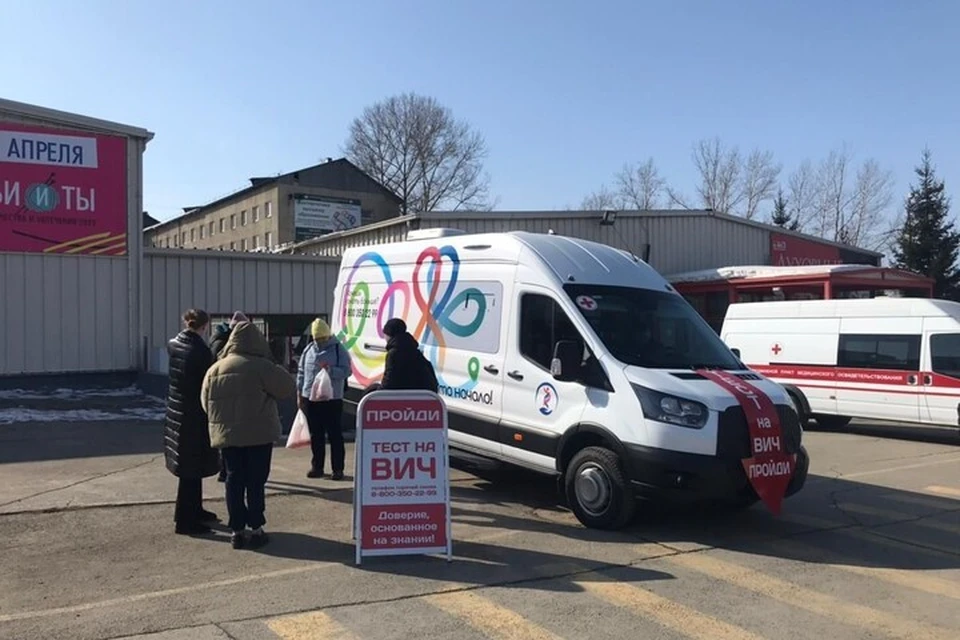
{"type": "Point", "coordinates": [674, 241]}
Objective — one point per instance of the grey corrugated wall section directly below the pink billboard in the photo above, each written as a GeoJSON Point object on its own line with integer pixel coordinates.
{"type": "Point", "coordinates": [64, 313]}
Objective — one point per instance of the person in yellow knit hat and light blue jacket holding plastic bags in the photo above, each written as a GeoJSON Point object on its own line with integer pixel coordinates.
{"type": "Point", "coordinates": [324, 418]}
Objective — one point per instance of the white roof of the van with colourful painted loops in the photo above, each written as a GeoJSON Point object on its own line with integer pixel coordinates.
{"type": "Point", "coordinates": [569, 259]}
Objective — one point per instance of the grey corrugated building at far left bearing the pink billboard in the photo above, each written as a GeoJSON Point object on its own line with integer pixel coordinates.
{"type": "Point", "coordinates": [70, 303]}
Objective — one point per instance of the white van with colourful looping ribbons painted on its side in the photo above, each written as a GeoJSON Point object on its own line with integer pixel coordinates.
{"type": "Point", "coordinates": [568, 357]}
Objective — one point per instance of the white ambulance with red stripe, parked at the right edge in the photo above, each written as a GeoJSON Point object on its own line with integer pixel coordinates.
{"type": "Point", "coordinates": [890, 359]}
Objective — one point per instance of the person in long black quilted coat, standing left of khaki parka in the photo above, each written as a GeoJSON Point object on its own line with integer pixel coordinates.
{"type": "Point", "coordinates": [187, 449]}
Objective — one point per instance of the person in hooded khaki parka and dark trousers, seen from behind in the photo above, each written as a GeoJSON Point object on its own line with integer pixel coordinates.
{"type": "Point", "coordinates": [239, 395]}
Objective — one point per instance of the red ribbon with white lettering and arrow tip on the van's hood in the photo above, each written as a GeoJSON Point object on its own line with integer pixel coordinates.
{"type": "Point", "coordinates": [770, 467]}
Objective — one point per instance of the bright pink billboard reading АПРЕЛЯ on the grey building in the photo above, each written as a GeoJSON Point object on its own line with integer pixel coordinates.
{"type": "Point", "coordinates": [62, 191]}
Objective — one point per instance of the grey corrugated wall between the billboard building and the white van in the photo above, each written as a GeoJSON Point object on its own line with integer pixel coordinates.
{"type": "Point", "coordinates": [222, 282]}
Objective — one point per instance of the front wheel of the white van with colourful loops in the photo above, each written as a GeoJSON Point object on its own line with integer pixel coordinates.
{"type": "Point", "coordinates": [597, 489]}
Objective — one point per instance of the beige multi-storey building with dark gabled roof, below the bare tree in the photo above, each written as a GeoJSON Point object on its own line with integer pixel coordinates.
{"type": "Point", "coordinates": [273, 212]}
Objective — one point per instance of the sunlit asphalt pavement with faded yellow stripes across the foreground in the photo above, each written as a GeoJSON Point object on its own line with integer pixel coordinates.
{"type": "Point", "coordinates": [869, 549]}
